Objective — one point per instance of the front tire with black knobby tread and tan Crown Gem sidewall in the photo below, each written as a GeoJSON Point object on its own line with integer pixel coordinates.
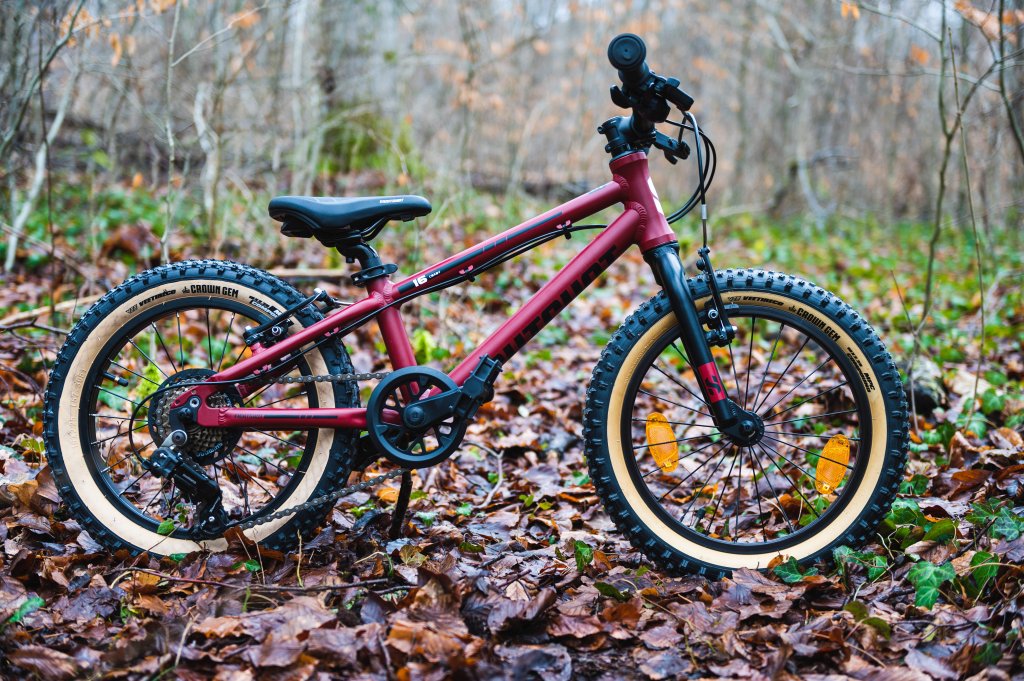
{"type": "Point", "coordinates": [613, 473]}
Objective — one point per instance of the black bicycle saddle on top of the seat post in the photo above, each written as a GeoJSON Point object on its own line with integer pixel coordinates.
{"type": "Point", "coordinates": [340, 223]}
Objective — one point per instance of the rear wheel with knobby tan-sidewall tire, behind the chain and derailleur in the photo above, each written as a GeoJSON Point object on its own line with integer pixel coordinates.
{"type": "Point", "coordinates": [109, 397]}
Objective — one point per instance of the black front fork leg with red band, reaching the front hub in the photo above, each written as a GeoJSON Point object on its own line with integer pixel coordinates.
{"type": "Point", "coordinates": [729, 416]}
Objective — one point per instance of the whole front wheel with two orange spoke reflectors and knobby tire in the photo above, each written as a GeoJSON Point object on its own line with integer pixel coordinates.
{"type": "Point", "coordinates": [822, 475]}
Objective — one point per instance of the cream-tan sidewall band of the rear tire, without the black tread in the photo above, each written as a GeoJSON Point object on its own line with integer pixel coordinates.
{"type": "Point", "coordinates": [74, 456]}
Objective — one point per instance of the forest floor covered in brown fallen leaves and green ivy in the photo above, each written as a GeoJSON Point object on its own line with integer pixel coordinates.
{"type": "Point", "coordinates": [510, 567]}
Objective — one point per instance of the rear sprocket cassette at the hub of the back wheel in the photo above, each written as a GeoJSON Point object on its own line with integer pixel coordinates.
{"type": "Point", "coordinates": [205, 446]}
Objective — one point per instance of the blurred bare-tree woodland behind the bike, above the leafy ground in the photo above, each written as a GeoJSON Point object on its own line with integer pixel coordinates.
{"type": "Point", "coordinates": [156, 113]}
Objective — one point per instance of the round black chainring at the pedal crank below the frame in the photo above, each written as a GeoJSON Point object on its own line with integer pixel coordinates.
{"type": "Point", "coordinates": [401, 443]}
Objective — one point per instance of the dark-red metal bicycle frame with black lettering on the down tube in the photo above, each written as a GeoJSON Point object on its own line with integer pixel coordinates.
{"type": "Point", "coordinates": [643, 224]}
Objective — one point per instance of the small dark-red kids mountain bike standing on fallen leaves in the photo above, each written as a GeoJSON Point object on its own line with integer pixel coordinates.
{"type": "Point", "coordinates": [735, 418]}
